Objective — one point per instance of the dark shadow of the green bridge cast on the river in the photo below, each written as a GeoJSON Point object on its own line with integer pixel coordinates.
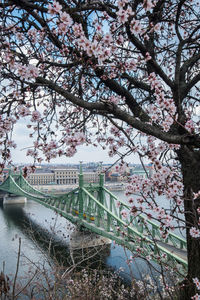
{"type": "Point", "coordinates": [56, 248]}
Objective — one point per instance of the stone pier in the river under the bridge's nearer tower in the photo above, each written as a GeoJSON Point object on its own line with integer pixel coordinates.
{"type": "Point", "coordinates": [81, 239]}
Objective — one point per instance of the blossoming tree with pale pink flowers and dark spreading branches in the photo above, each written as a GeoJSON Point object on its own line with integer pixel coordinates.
{"type": "Point", "coordinates": [119, 74]}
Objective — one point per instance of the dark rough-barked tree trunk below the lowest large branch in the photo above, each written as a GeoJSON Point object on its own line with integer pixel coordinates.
{"type": "Point", "coordinates": [190, 167]}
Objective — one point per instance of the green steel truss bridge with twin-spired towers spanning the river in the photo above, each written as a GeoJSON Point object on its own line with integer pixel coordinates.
{"type": "Point", "coordinates": [99, 211]}
